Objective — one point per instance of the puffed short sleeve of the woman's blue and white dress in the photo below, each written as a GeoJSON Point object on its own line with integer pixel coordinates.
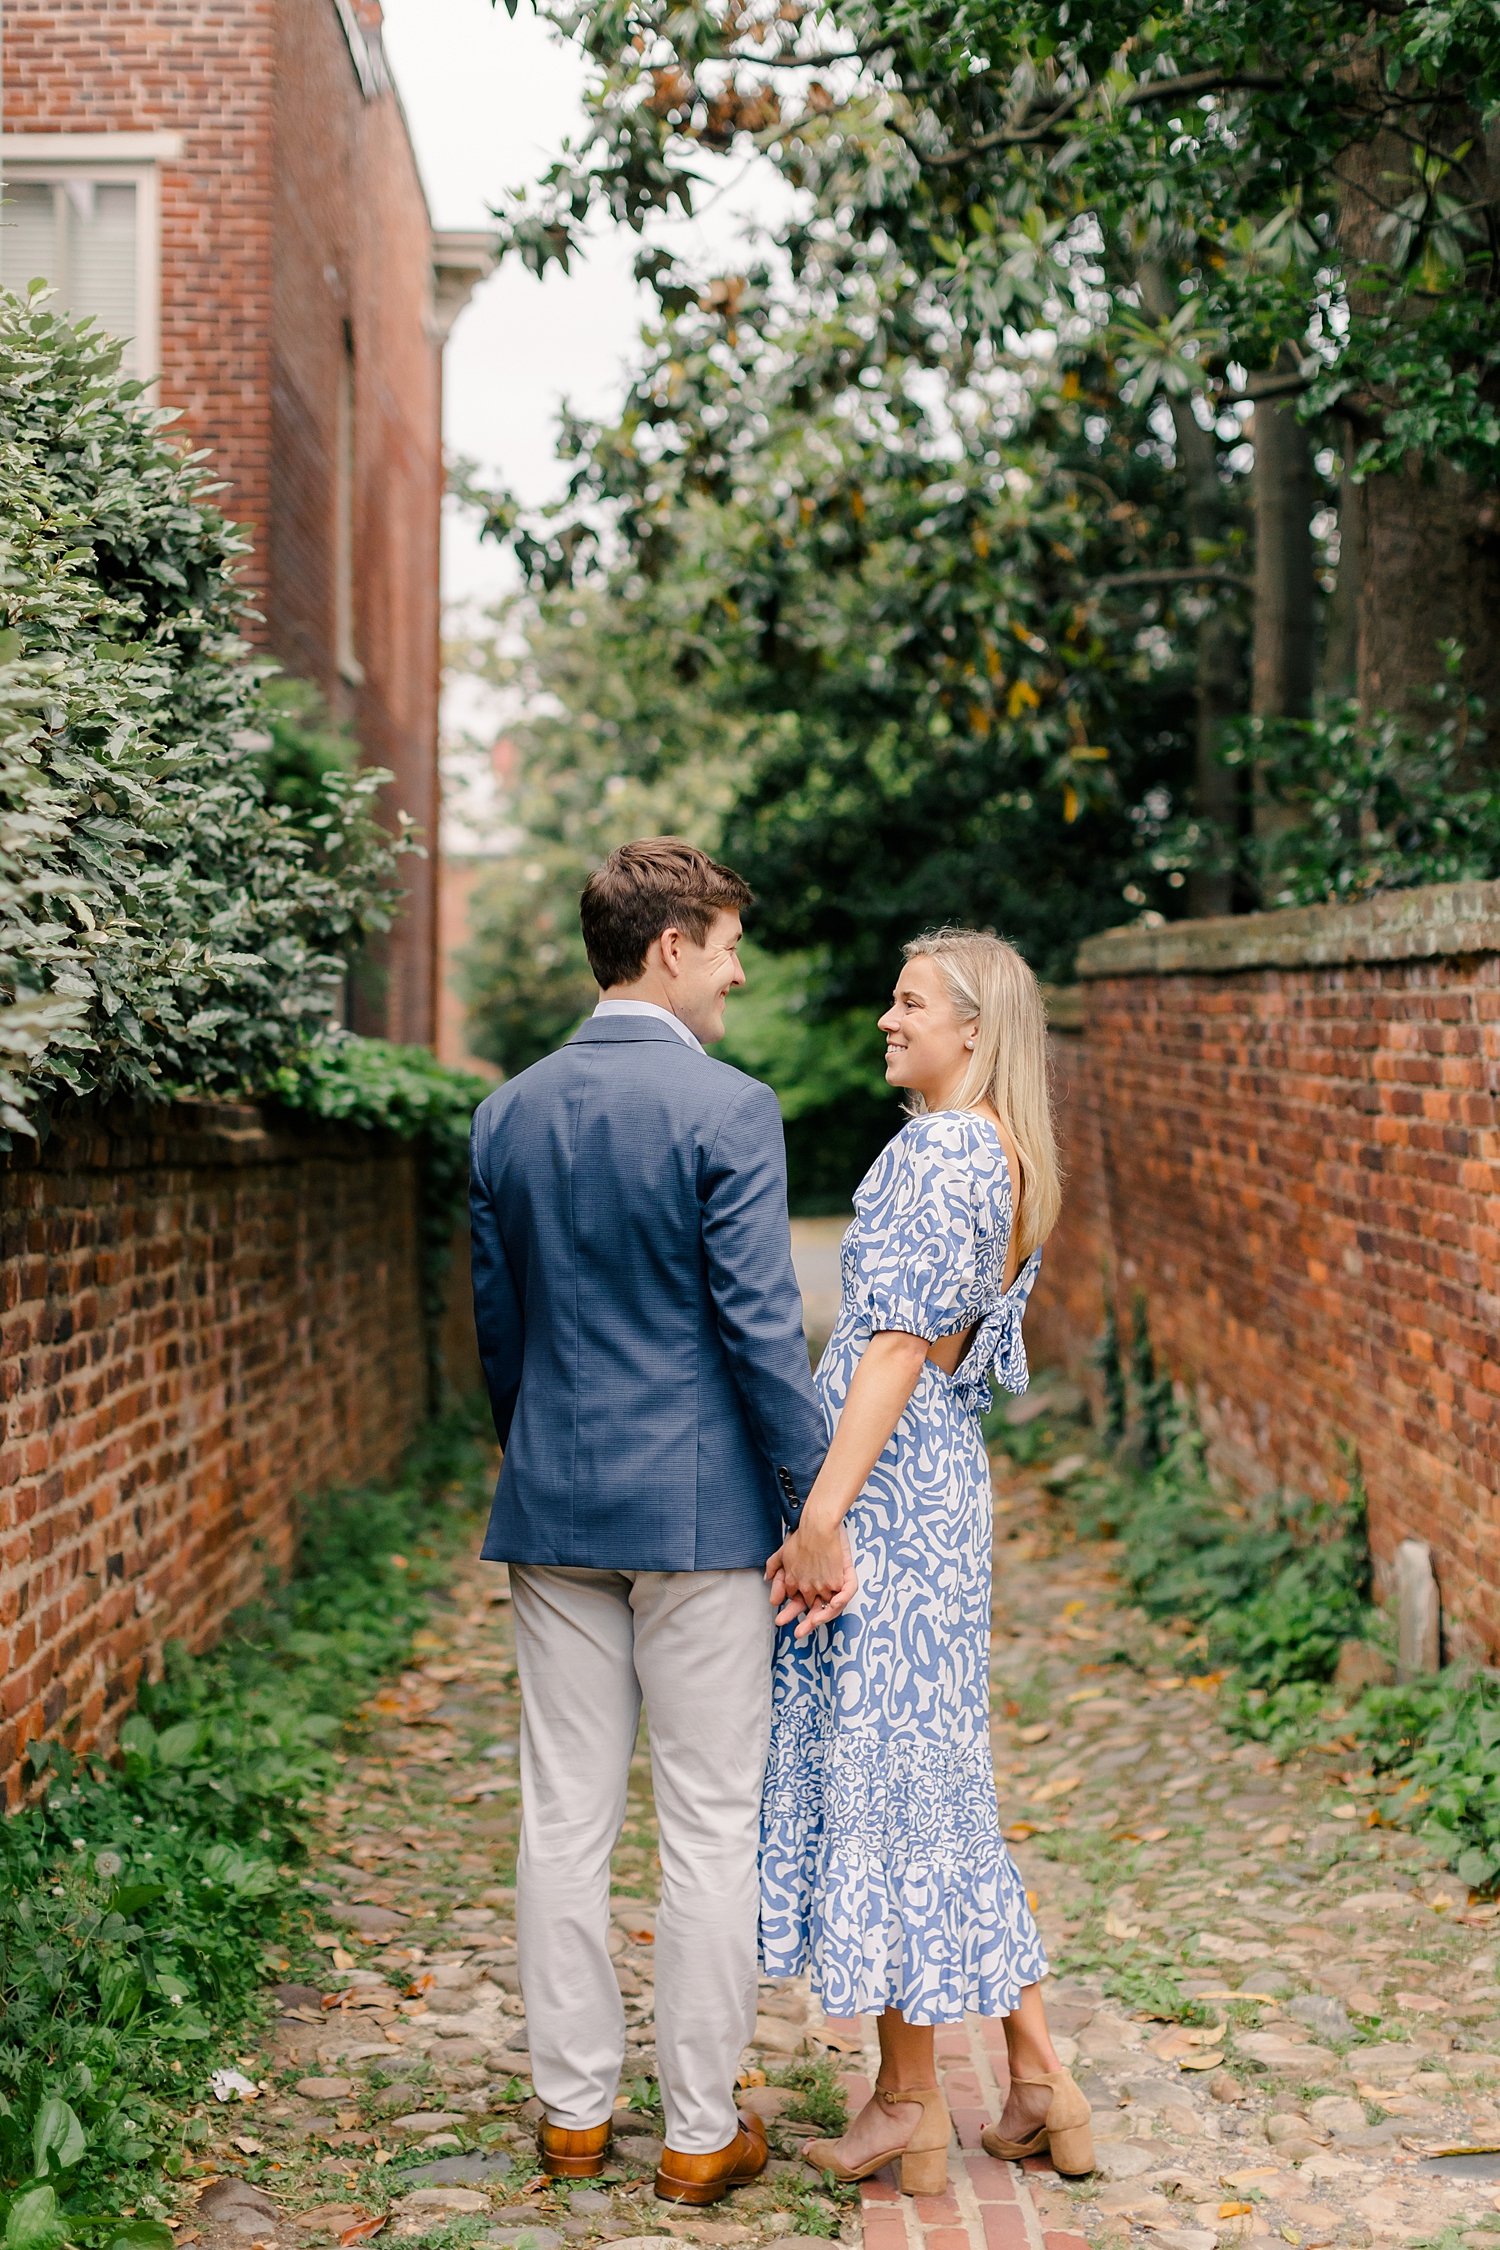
{"type": "Point", "coordinates": [916, 1261]}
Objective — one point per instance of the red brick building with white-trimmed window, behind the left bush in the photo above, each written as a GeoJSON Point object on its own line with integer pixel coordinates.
{"type": "Point", "coordinates": [231, 183]}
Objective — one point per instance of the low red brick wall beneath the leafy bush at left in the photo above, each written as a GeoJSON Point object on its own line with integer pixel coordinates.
{"type": "Point", "coordinates": [201, 1320]}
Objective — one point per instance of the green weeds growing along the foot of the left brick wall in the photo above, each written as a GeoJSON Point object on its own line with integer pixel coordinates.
{"type": "Point", "coordinates": [138, 1896]}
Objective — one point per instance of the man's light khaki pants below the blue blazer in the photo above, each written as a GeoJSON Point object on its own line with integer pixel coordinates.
{"type": "Point", "coordinates": [698, 1648]}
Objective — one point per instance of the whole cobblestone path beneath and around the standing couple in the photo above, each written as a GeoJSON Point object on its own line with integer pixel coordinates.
{"type": "Point", "coordinates": [1350, 1988]}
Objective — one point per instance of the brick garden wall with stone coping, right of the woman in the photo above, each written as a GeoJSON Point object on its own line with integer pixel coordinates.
{"type": "Point", "coordinates": [1283, 1133]}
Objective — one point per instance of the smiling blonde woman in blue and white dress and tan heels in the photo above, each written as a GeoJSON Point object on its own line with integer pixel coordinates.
{"type": "Point", "coordinates": [883, 1866]}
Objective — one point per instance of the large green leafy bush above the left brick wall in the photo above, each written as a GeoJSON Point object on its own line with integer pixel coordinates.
{"type": "Point", "coordinates": [163, 921]}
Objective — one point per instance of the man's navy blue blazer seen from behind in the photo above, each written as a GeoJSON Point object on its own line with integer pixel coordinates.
{"type": "Point", "coordinates": [640, 1322]}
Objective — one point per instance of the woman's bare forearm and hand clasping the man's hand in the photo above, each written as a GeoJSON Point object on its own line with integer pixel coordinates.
{"type": "Point", "coordinates": [811, 1574]}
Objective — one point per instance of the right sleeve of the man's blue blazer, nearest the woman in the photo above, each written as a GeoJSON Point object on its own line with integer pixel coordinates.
{"type": "Point", "coordinates": [748, 1248]}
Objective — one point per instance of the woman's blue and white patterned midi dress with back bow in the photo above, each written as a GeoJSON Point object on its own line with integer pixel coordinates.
{"type": "Point", "coordinates": [883, 1866]}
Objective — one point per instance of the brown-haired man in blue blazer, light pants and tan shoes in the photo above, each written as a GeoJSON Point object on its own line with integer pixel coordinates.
{"type": "Point", "coordinates": [642, 1342]}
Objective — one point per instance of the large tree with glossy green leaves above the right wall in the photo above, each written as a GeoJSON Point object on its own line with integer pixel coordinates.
{"type": "Point", "coordinates": [1103, 494]}
